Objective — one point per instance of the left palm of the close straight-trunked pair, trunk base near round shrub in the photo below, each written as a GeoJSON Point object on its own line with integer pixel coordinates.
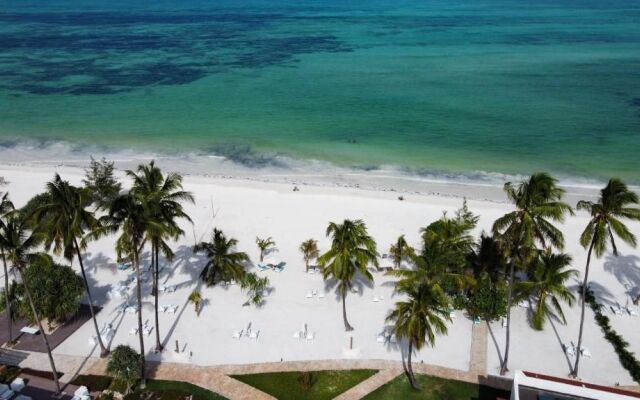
{"type": "Point", "coordinates": [129, 216]}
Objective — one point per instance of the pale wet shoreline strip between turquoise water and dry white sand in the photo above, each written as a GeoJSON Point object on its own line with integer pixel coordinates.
{"type": "Point", "coordinates": [481, 186]}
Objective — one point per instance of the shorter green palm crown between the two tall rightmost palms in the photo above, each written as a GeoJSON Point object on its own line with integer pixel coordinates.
{"type": "Point", "coordinates": [547, 283]}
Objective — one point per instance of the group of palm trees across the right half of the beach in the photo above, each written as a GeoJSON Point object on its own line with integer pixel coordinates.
{"type": "Point", "coordinates": [449, 261]}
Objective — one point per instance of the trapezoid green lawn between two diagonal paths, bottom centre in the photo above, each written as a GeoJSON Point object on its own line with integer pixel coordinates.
{"type": "Point", "coordinates": [286, 385]}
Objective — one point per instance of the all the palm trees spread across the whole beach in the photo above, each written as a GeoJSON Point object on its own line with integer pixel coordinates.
{"type": "Point", "coordinates": [448, 264]}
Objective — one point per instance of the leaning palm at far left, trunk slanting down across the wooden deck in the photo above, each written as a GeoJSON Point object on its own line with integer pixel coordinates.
{"type": "Point", "coordinates": [19, 242]}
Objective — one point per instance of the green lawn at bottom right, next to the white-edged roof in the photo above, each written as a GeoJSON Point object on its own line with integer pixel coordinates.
{"type": "Point", "coordinates": [433, 388]}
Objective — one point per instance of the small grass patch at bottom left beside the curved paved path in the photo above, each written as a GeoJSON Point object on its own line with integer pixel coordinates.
{"type": "Point", "coordinates": [172, 390]}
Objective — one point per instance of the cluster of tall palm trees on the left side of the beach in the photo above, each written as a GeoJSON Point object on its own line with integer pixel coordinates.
{"type": "Point", "coordinates": [64, 218]}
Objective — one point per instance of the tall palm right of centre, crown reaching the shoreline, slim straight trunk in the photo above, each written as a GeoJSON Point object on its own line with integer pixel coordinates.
{"type": "Point", "coordinates": [538, 203]}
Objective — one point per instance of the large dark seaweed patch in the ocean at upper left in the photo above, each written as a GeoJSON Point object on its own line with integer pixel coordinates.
{"type": "Point", "coordinates": [122, 52]}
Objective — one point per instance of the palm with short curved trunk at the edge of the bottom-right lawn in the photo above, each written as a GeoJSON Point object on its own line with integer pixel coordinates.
{"type": "Point", "coordinates": [418, 319]}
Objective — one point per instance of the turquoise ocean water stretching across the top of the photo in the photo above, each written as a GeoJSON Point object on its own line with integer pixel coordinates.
{"type": "Point", "coordinates": [450, 87]}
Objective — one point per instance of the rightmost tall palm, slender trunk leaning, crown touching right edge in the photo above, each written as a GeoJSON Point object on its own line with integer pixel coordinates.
{"type": "Point", "coordinates": [605, 224]}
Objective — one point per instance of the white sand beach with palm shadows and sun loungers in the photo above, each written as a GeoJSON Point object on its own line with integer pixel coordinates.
{"type": "Point", "coordinates": [246, 209]}
